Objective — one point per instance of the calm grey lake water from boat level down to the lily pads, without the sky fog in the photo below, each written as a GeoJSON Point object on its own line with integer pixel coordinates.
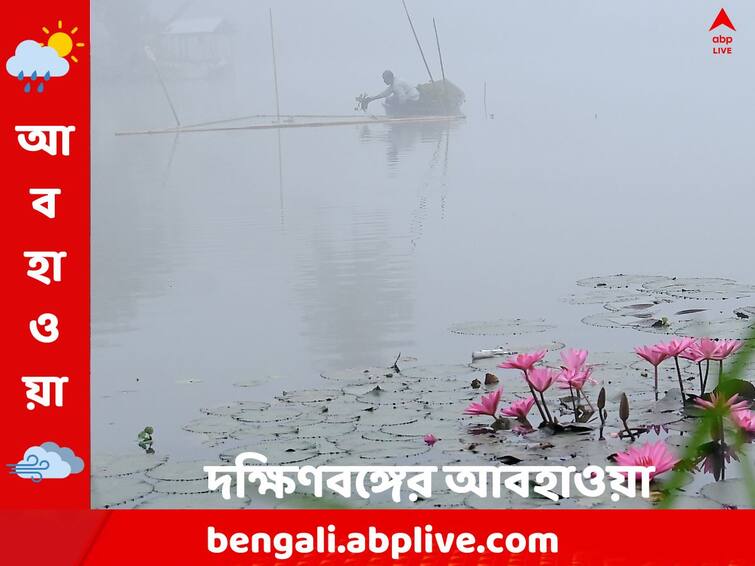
{"type": "Point", "coordinates": [260, 257]}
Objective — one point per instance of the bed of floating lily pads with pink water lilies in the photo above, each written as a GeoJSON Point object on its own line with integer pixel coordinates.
{"type": "Point", "coordinates": [546, 405]}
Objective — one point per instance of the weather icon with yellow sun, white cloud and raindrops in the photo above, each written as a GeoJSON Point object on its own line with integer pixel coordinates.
{"type": "Point", "coordinates": [34, 62]}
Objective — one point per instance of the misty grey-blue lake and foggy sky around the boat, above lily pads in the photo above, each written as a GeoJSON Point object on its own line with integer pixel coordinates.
{"type": "Point", "coordinates": [233, 265]}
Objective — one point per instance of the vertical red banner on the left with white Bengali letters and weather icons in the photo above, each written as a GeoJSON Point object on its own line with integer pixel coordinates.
{"type": "Point", "coordinates": [45, 253]}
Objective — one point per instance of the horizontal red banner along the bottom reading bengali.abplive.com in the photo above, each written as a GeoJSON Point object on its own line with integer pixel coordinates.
{"type": "Point", "coordinates": [631, 538]}
